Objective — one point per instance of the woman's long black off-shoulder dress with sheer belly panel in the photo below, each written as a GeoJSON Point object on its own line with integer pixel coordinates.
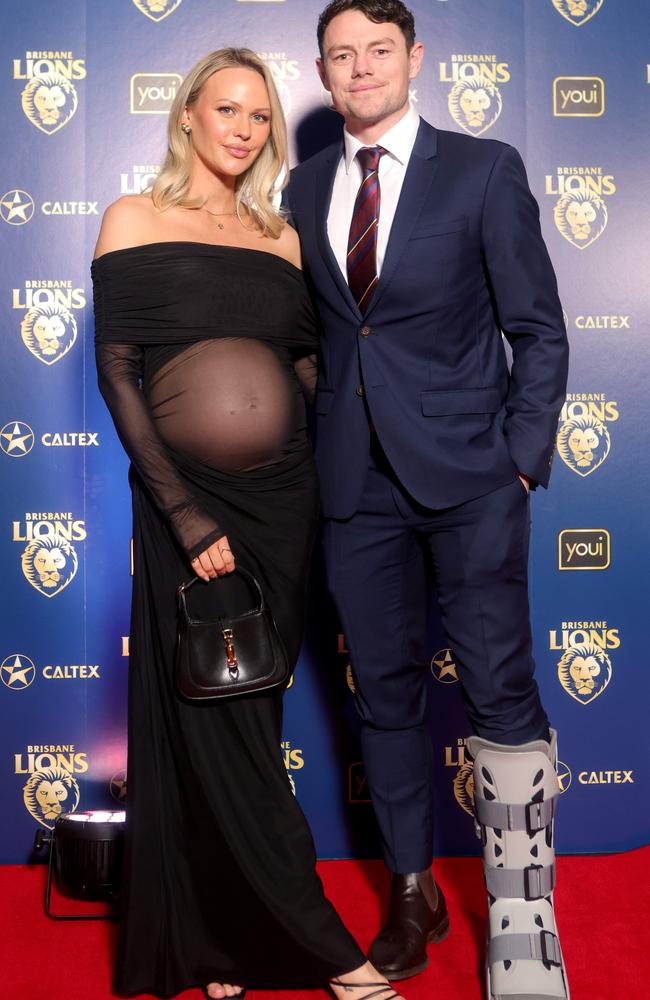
{"type": "Point", "coordinates": [198, 349]}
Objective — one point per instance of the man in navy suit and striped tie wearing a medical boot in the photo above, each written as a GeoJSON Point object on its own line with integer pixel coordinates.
{"type": "Point", "coordinates": [422, 247]}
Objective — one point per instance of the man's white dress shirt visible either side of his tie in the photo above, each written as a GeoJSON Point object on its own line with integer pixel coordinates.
{"type": "Point", "coordinates": [398, 143]}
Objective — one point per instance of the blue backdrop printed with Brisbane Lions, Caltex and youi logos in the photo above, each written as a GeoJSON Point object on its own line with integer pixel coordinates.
{"type": "Point", "coordinates": [85, 93]}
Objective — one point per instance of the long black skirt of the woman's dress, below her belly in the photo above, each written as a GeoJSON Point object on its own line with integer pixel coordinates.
{"type": "Point", "coordinates": [219, 881]}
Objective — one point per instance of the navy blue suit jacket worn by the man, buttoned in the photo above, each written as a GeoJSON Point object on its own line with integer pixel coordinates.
{"type": "Point", "coordinates": [465, 261]}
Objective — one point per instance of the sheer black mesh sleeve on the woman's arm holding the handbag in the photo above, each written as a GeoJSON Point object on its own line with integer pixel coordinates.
{"type": "Point", "coordinates": [119, 369]}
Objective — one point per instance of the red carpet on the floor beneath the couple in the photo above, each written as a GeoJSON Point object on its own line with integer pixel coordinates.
{"type": "Point", "coordinates": [603, 907]}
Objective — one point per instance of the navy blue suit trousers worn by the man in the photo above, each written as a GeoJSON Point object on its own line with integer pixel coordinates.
{"type": "Point", "coordinates": [376, 566]}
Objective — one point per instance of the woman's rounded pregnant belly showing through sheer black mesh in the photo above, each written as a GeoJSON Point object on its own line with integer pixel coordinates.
{"type": "Point", "coordinates": [228, 403]}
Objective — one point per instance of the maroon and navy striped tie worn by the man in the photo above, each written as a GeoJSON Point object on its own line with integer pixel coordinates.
{"type": "Point", "coordinates": [362, 242]}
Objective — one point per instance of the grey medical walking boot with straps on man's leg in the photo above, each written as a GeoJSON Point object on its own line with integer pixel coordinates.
{"type": "Point", "coordinates": [515, 795]}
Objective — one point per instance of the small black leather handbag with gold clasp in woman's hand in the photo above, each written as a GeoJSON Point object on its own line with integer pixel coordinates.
{"type": "Point", "coordinates": [223, 656]}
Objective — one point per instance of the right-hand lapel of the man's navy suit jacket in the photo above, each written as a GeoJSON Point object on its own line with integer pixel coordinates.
{"type": "Point", "coordinates": [417, 182]}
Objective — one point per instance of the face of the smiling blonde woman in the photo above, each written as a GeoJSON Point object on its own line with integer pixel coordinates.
{"type": "Point", "coordinates": [230, 120]}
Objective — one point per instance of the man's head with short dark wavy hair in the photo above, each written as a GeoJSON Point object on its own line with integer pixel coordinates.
{"type": "Point", "coordinates": [367, 70]}
